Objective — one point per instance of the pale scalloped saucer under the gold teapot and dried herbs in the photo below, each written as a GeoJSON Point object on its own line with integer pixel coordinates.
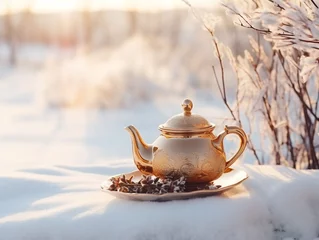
{"type": "Point", "coordinates": [229, 179]}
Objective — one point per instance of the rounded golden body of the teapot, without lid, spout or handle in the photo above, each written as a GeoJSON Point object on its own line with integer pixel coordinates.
{"type": "Point", "coordinates": [195, 158]}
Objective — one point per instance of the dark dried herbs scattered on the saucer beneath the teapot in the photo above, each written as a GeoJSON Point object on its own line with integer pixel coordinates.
{"type": "Point", "coordinates": [154, 185]}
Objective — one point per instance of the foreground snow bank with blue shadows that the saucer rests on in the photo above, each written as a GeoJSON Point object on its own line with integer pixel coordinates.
{"type": "Point", "coordinates": [64, 202]}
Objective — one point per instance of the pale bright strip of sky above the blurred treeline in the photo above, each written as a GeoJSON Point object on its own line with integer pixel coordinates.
{"type": "Point", "coordinates": [43, 6]}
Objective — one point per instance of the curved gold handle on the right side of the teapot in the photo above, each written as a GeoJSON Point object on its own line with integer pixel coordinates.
{"type": "Point", "coordinates": [218, 142]}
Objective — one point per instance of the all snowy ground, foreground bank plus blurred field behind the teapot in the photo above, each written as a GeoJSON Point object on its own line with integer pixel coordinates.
{"type": "Point", "coordinates": [53, 161]}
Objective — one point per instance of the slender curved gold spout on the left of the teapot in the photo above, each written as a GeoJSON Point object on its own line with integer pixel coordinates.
{"type": "Point", "coordinates": [142, 152]}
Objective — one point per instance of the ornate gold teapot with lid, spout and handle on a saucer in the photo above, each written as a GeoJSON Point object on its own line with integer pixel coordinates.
{"type": "Point", "coordinates": [186, 147]}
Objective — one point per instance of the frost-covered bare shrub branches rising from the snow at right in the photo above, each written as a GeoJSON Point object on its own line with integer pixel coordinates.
{"type": "Point", "coordinates": [277, 79]}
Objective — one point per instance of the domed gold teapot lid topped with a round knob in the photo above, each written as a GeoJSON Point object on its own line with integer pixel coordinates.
{"type": "Point", "coordinates": [186, 122]}
